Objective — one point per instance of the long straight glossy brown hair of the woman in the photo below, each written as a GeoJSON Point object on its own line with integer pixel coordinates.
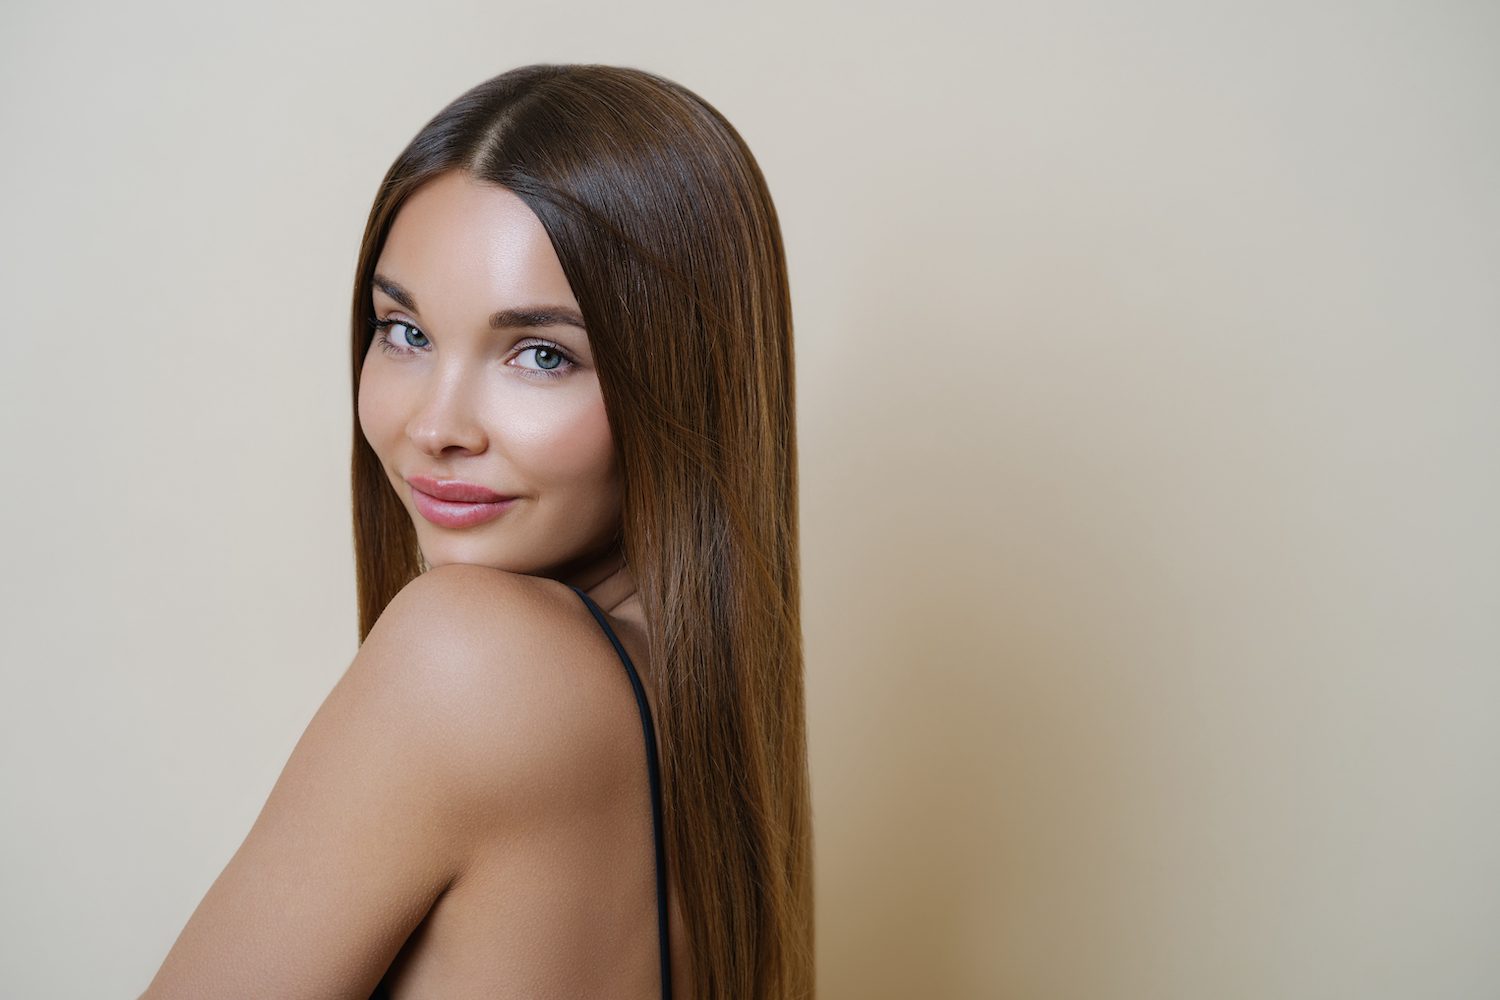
{"type": "Point", "coordinates": [671, 244]}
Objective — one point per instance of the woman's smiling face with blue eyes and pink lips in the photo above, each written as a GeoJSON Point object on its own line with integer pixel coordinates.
{"type": "Point", "coordinates": [485, 377]}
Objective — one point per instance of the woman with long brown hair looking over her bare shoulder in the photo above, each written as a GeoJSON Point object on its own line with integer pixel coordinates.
{"type": "Point", "coordinates": [575, 519]}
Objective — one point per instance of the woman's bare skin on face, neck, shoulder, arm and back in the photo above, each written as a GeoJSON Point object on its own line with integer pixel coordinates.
{"type": "Point", "coordinates": [470, 803]}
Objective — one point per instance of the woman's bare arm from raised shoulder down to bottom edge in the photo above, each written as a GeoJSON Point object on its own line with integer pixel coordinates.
{"type": "Point", "coordinates": [379, 807]}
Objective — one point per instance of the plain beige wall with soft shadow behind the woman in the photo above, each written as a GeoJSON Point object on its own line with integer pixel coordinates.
{"type": "Point", "coordinates": [1150, 383]}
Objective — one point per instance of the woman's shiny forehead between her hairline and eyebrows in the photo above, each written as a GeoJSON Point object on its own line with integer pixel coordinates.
{"type": "Point", "coordinates": [470, 245]}
